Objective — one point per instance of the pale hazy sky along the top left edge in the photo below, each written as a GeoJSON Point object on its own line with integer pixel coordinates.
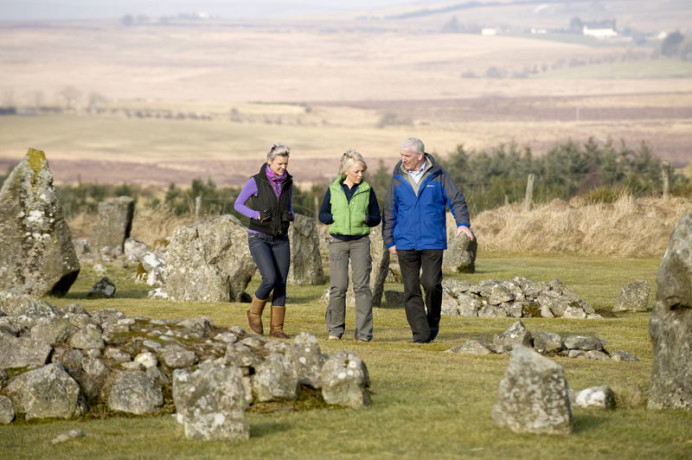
{"type": "Point", "coordinates": [227, 9]}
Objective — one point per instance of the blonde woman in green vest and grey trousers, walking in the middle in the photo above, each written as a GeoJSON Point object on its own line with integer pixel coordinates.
{"type": "Point", "coordinates": [350, 208]}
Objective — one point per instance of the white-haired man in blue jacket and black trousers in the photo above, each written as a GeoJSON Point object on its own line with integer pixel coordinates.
{"type": "Point", "coordinates": [414, 228]}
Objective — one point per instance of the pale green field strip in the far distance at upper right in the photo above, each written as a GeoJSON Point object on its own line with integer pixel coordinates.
{"type": "Point", "coordinates": [649, 68]}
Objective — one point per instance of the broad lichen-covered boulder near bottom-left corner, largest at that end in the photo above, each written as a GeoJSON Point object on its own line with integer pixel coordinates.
{"type": "Point", "coordinates": [47, 392]}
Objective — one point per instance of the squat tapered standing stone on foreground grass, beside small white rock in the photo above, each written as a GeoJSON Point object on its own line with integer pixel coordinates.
{"type": "Point", "coordinates": [533, 395]}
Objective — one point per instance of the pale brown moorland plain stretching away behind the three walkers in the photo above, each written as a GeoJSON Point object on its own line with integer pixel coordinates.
{"type": "Point", "coordinates": [160, 104]}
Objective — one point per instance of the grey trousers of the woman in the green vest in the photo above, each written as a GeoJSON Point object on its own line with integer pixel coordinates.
{"type": "Point", "coordinates": [358, 252]}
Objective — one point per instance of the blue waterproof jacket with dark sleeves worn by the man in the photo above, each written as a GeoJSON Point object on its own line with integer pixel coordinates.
{"type": "Point", "coordinates": [418, 221]}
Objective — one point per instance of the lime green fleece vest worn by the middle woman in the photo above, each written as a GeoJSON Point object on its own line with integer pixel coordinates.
{"type": "Point", "coordinates": [349, 217]}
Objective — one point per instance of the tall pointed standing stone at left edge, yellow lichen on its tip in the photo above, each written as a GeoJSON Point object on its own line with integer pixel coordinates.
{"type": "Point", "coordinates": [37, 255]}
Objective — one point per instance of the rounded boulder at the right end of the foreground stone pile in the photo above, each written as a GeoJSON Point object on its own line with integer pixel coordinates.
{"type": "Point", "coordinates": [345, 381]}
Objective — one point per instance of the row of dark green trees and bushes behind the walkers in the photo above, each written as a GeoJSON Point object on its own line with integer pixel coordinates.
{"type": "Point", "coordinates": [489, 179]}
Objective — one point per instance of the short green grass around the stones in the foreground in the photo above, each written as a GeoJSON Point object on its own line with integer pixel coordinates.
{"type": "Point", "coordinates": [426, 403]}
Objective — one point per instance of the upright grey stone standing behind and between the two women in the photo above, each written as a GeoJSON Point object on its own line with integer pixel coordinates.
{"type": "Point", "coordinates": [306, 262]}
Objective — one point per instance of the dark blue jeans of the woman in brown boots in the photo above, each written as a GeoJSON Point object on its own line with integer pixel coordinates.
{"type": "Point", "coordinates": [272, 254]}
